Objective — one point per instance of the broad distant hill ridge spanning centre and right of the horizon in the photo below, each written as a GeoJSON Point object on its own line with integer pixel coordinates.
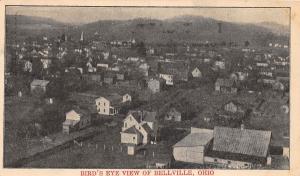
{"type": "Point", "coordinates": [183, 29]}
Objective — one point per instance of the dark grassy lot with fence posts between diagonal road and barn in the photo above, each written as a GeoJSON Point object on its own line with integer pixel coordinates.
{"type": "Point", "coordinates": [103, 151]}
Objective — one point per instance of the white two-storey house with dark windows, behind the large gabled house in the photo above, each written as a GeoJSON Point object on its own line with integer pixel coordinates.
{"type": "Point", "coordinates": [111, 104]}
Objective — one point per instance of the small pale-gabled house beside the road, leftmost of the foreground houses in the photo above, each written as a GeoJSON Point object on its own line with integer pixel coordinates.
{"type": "Point", "coordinates": [76, 119]}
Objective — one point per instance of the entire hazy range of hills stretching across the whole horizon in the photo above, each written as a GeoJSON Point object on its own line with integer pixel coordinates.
{"type": "Point", "coordinates": [179, 29]}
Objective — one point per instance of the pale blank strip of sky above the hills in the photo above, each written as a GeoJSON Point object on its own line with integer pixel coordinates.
{"type": "Point", "coordinates": [80, 15]}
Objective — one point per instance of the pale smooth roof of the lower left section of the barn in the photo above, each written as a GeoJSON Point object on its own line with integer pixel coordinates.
{"type": "Point", "coordinates": [195, 139]}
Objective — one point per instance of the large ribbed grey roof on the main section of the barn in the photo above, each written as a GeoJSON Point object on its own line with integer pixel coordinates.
{"type": "Point", "coordinates": [238, 141]}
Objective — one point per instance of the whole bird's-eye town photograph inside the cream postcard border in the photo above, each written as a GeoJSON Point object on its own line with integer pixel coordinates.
{"type": "Point", "coordinates": [131, 87]}
